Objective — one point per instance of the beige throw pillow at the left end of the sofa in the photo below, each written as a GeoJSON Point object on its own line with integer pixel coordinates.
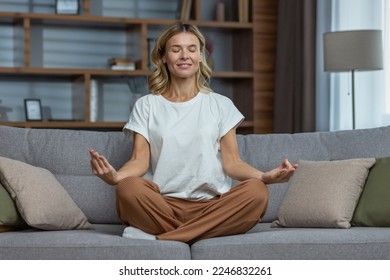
{"type": "Point", "coordinates": [40, 198]}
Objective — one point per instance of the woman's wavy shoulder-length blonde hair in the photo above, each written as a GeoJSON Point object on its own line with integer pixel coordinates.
{"type": "Point", "coordinates": [159, 81]}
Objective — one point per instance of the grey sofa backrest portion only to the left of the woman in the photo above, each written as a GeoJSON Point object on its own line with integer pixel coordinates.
{"type": "Point", "coordinates": [66, 154]}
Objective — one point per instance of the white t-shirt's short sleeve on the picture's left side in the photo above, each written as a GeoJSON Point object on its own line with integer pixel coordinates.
{"type": "Point", "coordinates": [138, 120]}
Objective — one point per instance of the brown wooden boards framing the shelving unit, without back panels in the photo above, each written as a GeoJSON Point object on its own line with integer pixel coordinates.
{"type": "Point", "coordinates": [239, 78]}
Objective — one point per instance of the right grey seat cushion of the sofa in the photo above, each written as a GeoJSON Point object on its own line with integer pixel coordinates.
{"type": "Point", "coordinates": [266, 243]}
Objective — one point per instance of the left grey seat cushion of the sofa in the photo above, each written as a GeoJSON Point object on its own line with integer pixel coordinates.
{"type": "Point", "coordinates": [103, 243]}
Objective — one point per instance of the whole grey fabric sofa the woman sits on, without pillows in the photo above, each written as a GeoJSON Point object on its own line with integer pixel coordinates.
{"type": "Point", "coordinates": [65, 154]}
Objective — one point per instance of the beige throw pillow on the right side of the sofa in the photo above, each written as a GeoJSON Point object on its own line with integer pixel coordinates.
{"type": "Point", "coordinates": [323, 193]}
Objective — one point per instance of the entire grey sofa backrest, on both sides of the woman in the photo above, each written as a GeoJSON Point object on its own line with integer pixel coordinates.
{"type": "Point", "coordinates": [66, 154]}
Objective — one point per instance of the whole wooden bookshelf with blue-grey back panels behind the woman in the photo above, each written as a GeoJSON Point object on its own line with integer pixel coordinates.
{"type": "Point", "coordinates": [46, 56]}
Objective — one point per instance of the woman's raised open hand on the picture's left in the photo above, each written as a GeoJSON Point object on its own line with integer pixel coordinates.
{"type": "Point", "coordinates": [103, 169]}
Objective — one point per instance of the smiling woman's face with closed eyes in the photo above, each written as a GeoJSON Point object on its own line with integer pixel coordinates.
{"type": "Point", "coordinates": [182, 55]}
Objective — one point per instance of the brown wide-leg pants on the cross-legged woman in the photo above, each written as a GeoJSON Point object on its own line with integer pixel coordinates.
{"type": "Point", "coordinates": [140, 205]}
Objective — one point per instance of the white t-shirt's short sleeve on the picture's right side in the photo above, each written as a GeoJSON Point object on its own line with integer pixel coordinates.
{"type": "Point", "coordinates": [231, 117]}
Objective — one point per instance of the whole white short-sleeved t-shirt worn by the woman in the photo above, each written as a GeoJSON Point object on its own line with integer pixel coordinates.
{"type": "Point", "coordinates": [184, 139]}
